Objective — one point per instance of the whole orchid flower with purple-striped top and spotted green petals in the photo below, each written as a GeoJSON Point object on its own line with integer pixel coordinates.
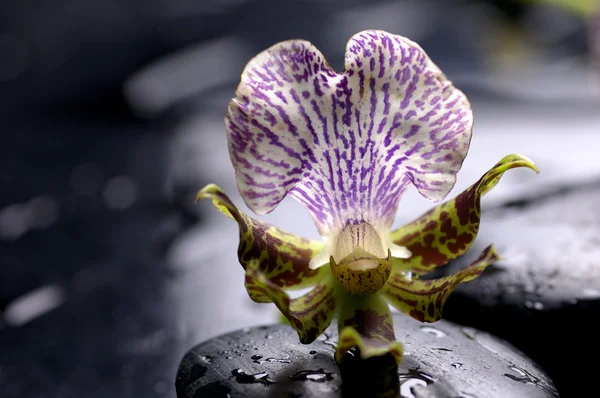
{"type": "Point", "coordinates": [347, 145]}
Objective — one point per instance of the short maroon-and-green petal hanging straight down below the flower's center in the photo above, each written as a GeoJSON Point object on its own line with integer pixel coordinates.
{"type": "Point", "coordinates": [366, 323]}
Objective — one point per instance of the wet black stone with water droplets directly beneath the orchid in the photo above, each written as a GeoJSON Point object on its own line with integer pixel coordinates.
{"type": "Point", "coordinates": [440, 360]}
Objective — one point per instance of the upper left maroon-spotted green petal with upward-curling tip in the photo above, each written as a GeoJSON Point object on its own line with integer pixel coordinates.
{"type": "Point", "coordinates": [283, 258]}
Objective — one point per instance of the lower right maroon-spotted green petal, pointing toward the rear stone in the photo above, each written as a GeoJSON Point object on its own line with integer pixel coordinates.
{"type": "Point", "coordinates": [425, 299]}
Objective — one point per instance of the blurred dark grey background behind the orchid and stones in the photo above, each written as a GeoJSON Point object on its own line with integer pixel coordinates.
{"type": "Point", "coordinates": [111, 119]}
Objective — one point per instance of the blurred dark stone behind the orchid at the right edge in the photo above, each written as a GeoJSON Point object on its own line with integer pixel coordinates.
{"type": "Point", "coordinates": [543, 294]}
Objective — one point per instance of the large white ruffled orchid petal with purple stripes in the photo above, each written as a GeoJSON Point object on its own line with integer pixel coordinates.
{"type": "Point", "coordinates": [346, 145]}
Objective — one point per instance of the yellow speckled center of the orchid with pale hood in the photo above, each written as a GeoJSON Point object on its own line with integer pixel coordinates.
{"type": "Point", "coordinates": [363, 266]}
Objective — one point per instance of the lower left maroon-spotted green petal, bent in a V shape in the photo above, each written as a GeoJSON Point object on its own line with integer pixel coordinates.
{"type": "Point", "coordinates": [309, 314]}
